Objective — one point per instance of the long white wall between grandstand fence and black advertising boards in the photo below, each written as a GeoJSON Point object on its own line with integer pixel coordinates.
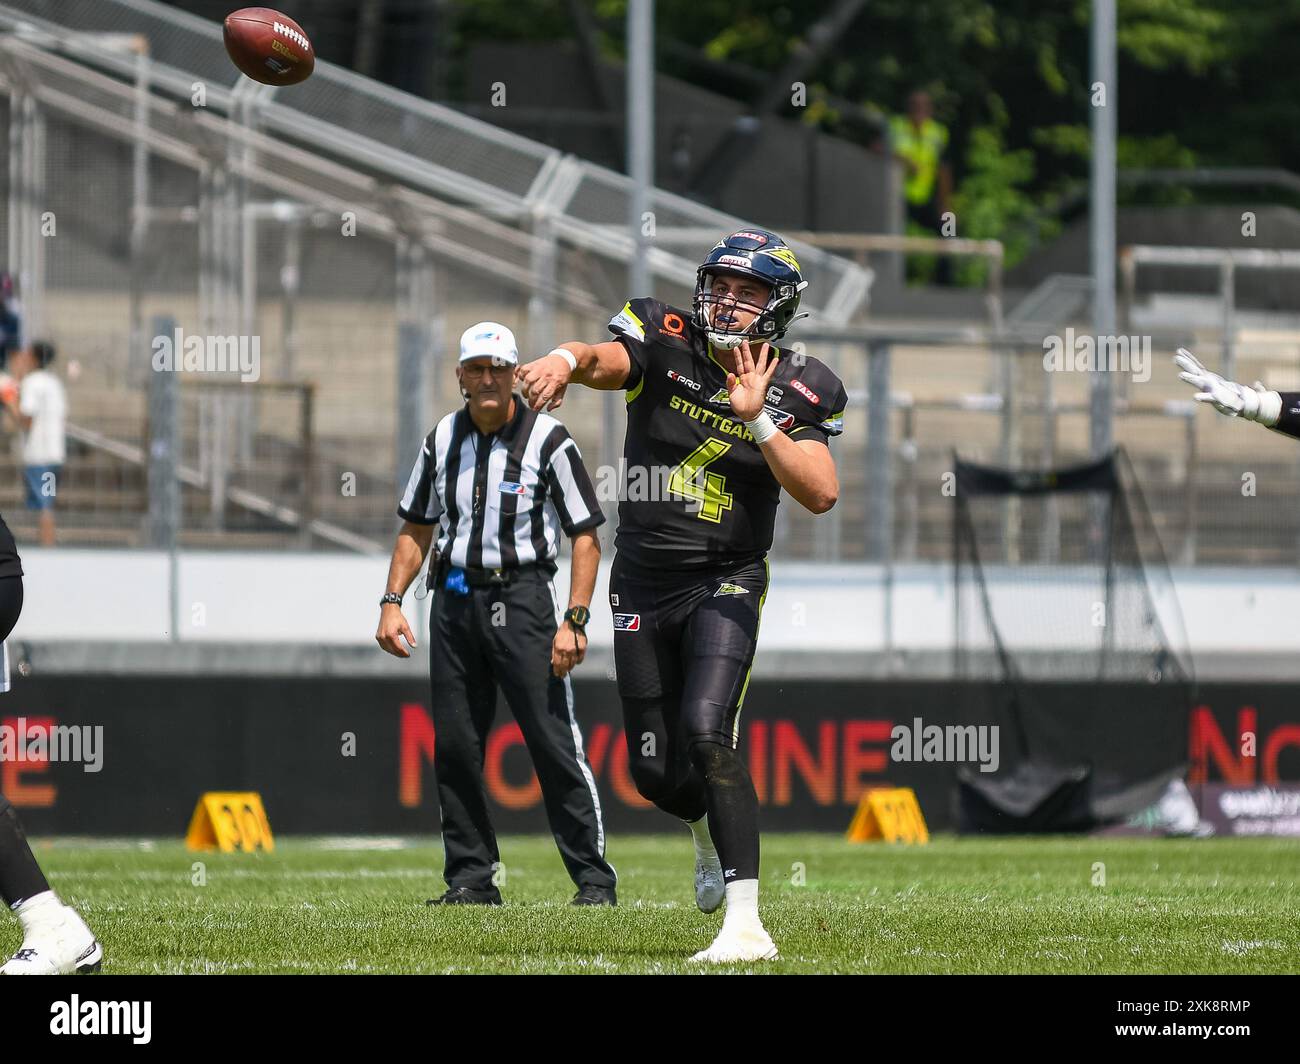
{"type": "Point", "coordinates": [1237, 620]}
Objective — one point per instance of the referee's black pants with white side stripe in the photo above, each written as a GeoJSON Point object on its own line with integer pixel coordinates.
{"type": "Point", "coordinates": [504, 635]}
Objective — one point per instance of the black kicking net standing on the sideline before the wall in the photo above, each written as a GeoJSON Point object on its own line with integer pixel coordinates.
{"type": "Point", "coordinates": [1068, 638]}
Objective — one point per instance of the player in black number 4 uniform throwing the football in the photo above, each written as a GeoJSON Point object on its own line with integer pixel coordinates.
{"type": "Point", "coordinates": [720, 421]}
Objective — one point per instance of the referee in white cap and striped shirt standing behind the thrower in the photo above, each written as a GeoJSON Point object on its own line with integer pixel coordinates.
{"type": "Point", "coordinates": [501, 482]}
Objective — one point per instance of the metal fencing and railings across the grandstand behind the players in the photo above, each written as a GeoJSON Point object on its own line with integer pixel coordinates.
{"type": "Point", "coordinates": [354, 232]}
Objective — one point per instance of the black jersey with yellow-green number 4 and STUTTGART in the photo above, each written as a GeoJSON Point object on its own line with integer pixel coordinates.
{"type": "Point", "coordinates": [697, 491]}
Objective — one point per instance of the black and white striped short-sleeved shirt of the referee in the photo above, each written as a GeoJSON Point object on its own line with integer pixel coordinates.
{"type": "Point", "coordinates": [501, 500]}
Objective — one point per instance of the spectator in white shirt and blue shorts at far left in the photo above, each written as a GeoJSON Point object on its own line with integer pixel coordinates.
{"type": "Point", "coordinates": [41, 410]}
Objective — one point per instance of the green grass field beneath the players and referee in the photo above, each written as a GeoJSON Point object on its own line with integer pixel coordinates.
{"type": "Point", "coordinates": [1221, 906]}
